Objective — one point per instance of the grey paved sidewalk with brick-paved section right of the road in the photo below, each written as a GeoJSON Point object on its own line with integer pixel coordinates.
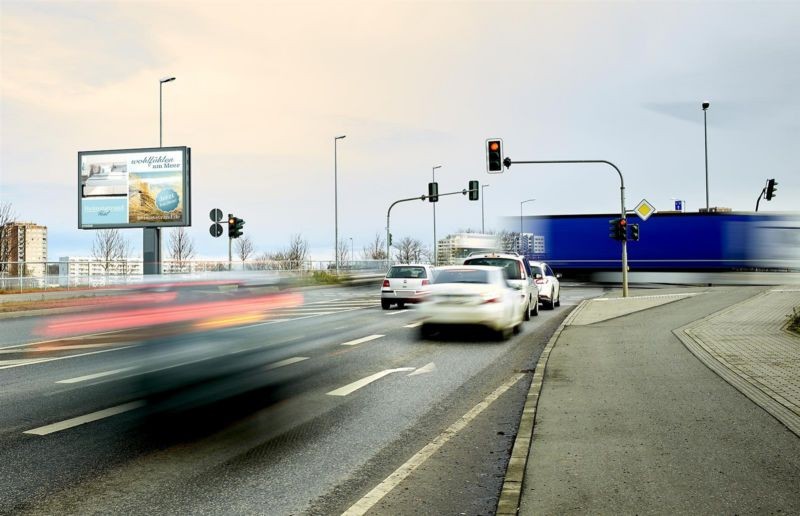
{"type": "Point", "coordinates": [683, 402]}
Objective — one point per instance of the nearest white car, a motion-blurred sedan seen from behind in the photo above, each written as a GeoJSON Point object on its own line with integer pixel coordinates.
{"type": "Point", "coordinates": [472, 295]}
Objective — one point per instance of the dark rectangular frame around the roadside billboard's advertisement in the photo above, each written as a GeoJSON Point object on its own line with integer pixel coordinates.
{"type": "Point", "coordinates": [186, 173]}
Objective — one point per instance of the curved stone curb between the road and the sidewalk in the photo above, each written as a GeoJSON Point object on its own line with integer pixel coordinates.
{"type": "Point", "coordinates": [511, 493]}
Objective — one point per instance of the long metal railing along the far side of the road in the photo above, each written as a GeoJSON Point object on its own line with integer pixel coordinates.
{"type": "Point", "coordinates": [24, 276]}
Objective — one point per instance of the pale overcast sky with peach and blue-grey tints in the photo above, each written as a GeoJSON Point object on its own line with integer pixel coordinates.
{"type": "Point", "coordinates": [263, 88]}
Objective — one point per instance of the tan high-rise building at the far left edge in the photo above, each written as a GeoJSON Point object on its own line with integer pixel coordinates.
{"type": "Point", "coordinates": [24, 249]}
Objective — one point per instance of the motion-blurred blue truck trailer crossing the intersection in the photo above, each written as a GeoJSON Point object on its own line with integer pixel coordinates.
{"type": "Point", "coordinates": [671, 241]}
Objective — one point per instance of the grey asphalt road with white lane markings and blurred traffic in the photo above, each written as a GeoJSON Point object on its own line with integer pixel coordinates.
{"type": "Point", "coordinates": [352, 394]}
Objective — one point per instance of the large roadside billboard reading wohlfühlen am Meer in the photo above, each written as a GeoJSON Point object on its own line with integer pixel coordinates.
{"type": "Point", "coordinates": [134, 188]}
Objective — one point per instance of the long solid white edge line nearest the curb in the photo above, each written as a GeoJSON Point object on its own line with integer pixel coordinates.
{"type": "Point", "coordinates": [382, 489]}
